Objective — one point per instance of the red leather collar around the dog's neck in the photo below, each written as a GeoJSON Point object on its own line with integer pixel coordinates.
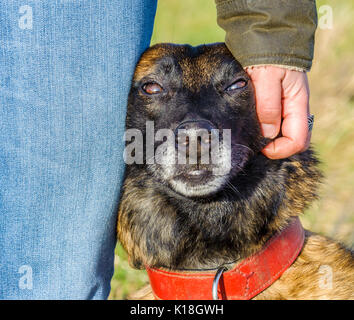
{"type": "Point", "coordinates": [247, 279]}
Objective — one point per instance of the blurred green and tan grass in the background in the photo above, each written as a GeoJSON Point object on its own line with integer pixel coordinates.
{"type": "Point", "coordinates": [332, 102]}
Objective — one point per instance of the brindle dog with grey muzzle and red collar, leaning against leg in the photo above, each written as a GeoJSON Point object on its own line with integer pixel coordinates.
{"type": "Point", "coordinates": [192, 224]}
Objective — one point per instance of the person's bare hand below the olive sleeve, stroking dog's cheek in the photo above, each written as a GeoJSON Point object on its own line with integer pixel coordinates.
{"type": "Point", "coordinates": [282, 103]}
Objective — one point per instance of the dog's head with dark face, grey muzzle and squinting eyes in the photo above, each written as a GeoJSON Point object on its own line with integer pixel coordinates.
{"type": "Point", "coordinates": [195, 107]}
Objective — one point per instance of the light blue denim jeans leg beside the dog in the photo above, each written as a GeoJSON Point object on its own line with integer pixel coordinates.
{"type": "Point", "coordinates": [65, 72]}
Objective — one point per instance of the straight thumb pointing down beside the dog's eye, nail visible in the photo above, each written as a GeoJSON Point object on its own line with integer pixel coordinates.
{"type": "Point", "coordinates": [267, 84]}
